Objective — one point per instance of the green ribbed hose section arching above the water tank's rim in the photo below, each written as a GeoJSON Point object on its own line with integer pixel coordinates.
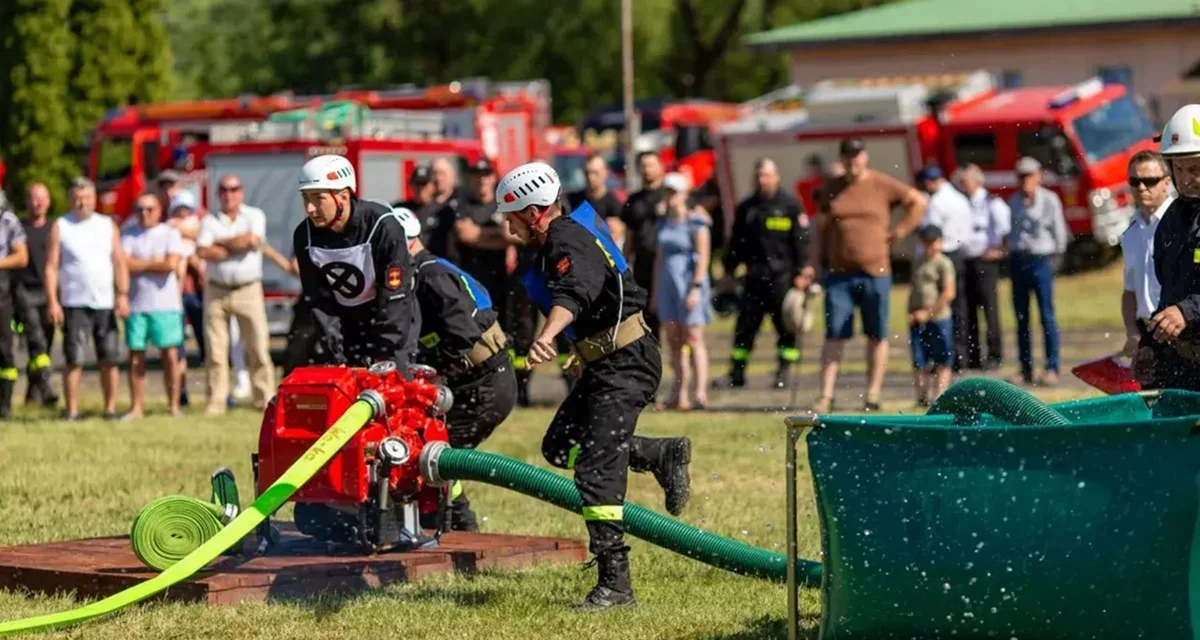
{"type": "Point", "coordinates": [968, 400]}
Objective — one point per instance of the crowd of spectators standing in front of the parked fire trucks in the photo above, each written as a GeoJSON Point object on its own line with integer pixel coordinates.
{"type": "Point", "coordinates": [172, 265]}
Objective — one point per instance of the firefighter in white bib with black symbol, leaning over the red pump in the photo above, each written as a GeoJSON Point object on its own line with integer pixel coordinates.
{"type": "Point", "coordinates": [356, 272]}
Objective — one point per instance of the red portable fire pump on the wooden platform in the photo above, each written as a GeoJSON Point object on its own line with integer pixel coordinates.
{"type": "Point", "coordinates": [371, 494]}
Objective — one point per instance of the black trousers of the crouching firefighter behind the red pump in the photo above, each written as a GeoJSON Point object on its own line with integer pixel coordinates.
{"type": "Point", "coordinates": [484, 398]}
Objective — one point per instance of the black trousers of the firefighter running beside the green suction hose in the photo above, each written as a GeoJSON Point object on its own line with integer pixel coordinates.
{"type": "Point", "coordinates": [593, 434]}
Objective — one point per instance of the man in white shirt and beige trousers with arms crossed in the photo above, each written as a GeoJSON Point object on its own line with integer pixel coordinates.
{"type": "Point", "coordinates": [231, 244]}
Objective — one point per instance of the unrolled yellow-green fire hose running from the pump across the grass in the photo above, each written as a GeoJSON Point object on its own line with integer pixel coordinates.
{"type": "Point", "coordinates": [316, 458]}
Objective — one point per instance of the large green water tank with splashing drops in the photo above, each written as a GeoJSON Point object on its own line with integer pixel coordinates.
{"type": "Point", "coordinates": [1078, 531]}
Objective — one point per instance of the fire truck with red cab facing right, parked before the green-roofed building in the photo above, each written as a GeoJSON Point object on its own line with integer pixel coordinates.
{"type": "Point", "coordinates": [1083, 135]}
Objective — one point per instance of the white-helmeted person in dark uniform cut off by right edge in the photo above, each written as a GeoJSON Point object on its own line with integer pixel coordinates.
{"type": "Point", "coordinates": [1169, 354]}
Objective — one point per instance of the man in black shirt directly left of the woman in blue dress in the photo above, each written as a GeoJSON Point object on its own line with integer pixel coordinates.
{"type": "Point", "coordinates": [641, 217]}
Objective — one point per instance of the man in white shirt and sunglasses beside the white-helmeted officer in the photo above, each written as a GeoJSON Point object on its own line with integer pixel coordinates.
{"type": "Point", "coordinates": [1151, 186]}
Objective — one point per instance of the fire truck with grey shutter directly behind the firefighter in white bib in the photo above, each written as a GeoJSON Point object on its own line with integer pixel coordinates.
{"type": "Point", "coordinates": [385, 148]}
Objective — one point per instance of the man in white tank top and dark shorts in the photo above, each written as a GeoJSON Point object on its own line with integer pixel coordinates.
{"type": "Point", "coordinates": [87, 288]}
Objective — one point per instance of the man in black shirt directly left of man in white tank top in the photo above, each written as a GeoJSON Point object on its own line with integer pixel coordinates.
{"type": "Point", "coordinates": [29, 295]}
